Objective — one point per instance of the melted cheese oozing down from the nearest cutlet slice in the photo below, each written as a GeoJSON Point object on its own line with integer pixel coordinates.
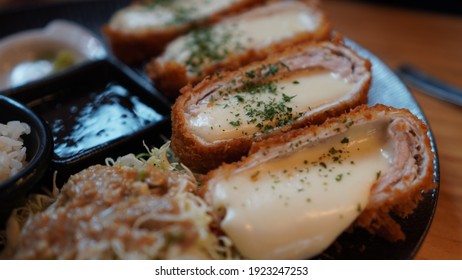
{"type": "Point", "coordinates": [294, 205]}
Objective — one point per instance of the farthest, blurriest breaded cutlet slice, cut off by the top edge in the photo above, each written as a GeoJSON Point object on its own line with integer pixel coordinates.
{"type": "Point", "coordinates": [143, 29]}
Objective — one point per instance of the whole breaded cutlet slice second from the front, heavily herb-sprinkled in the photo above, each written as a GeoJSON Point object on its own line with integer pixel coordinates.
{"type": "Point", "coordinates": [218, 120]}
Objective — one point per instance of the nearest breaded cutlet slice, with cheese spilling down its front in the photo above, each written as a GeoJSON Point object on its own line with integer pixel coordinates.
{"type": "Point", "coordinates": [298, 192]}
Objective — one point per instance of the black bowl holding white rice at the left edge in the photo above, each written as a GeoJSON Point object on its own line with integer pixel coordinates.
{"type": "Point", "coordinates": [39, 145]}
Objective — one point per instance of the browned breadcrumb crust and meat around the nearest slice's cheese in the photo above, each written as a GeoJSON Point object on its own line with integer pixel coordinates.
{"type": "Point", "coordinates": [396, 192]}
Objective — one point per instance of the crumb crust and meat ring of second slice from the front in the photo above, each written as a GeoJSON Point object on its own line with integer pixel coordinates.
{"type": "Point", "coordinates": [201, 155]}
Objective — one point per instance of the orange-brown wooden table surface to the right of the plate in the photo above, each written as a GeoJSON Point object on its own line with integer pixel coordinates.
{"type": "Point", "coordinates": [433, 43]}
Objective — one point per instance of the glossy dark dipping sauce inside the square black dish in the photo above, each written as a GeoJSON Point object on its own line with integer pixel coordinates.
{"type": "Point", "coordinates": [83, 120]}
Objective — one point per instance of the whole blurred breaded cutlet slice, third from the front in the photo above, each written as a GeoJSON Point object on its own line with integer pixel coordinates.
{"type": "Point", "coordinates": [236, 41]}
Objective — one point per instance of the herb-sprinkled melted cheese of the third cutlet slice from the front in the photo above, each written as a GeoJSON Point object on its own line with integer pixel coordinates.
{"type": "Point", "coordinates": [255, 29]}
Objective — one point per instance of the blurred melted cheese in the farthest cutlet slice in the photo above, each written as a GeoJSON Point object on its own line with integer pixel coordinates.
{"type": "Point", "coordinates": [140, 18]}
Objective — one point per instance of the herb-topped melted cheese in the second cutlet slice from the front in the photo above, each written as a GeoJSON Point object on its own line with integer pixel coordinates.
{"type": "Point", "coordinates": [232, 116]}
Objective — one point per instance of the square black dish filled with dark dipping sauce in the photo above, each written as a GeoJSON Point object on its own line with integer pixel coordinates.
{"type": "Point", "coordinates": [99, 110]}
